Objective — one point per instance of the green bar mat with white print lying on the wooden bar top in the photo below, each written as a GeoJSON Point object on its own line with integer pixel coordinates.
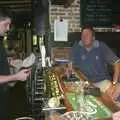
{"type": "Point", "coordinates": [93, 106]}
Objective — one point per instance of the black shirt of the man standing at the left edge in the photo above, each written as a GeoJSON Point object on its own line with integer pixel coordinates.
{"type": "Point", "coordinates": [4, 70]}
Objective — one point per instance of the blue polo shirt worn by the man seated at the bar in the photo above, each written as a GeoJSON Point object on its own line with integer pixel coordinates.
{"type": "Point", "coordinates": [93, 62]}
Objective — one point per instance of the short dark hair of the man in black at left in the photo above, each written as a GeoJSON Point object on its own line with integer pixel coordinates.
{"type": "Point", "coordinates": [5, 13]}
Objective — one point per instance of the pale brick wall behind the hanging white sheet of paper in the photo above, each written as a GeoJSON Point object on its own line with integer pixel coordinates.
{"type": "Point", "coordinates": [72, 14]}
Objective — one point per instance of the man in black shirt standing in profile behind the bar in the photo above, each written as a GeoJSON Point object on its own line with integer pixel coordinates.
{"type": "Point", "coordinates": [5, 22]}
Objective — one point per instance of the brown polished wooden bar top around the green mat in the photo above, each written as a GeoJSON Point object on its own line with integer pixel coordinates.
{"type": "Point", "coordinates": [104, 98]}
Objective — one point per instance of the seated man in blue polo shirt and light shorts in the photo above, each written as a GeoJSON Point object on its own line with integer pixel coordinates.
{"type": "Point", "coordinates": [92, 57]}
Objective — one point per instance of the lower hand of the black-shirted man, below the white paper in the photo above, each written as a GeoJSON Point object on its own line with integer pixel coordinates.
{"type": "Point", "coordinates": [22, 75]}
